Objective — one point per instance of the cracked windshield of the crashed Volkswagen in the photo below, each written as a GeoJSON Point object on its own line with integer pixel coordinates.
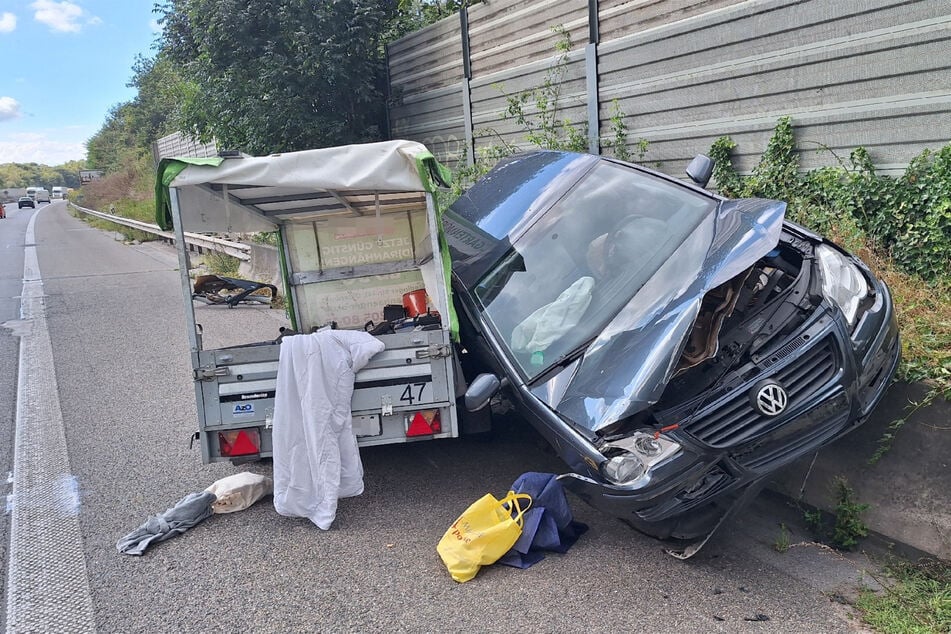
{"type": "Point", "coordinates": [571, 272]}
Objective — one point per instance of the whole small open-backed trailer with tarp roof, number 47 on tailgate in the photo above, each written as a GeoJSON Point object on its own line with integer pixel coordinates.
{"type": "Point", "coordinates": [360, 247]}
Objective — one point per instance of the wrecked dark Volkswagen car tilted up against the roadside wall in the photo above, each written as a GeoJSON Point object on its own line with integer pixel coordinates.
{"type": "Point", "coordinates": [674, 346]}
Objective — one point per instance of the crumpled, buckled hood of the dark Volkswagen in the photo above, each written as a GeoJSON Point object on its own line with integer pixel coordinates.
{"type": "Point", "coordinates": [626, 368]}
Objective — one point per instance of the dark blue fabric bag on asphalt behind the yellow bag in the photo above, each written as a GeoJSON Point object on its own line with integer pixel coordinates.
{"type": "Point", "coordinates": [548, 525]}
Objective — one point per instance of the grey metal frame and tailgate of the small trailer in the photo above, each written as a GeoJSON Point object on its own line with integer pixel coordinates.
{"type": "Point", "coordinates": [415, 374]}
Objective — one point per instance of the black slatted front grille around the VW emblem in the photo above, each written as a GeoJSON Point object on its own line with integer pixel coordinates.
{"type": "Point", "coordinates": [734, 420]}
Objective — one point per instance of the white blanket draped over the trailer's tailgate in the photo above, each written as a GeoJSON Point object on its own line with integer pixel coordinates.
{"type": "Point", "coordinates": [316, 459]}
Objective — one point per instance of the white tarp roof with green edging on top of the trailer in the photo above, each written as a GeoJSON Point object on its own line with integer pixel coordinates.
{"type": "Point", "coordinates": [254, 194]}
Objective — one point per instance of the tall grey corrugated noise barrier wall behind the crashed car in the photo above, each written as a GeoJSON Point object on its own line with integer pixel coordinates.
{"type": "Point", "coordinates": [872, 73]}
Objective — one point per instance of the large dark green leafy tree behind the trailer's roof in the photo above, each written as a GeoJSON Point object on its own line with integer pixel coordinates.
{"type": "Point", "coordinates": [279, 75]}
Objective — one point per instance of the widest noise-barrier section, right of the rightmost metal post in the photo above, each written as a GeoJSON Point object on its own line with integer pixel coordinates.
{"type": "Point", "coordinates": [840, 72]}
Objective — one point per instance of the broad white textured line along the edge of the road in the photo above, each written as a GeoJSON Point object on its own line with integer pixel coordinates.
{"type": "Point", "coordinates": [47, 581]}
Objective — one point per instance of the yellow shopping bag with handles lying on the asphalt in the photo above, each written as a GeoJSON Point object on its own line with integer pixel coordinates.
{"type": "Point", "coordinates": [483, 533]}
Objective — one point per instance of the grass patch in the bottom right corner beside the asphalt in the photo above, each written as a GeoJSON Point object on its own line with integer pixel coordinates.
{"type": "Point", "coordinates": [916, 599]}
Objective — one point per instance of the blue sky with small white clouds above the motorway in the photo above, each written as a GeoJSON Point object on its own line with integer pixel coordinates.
{"type": "Point", "coordinates": [63, 65]}
